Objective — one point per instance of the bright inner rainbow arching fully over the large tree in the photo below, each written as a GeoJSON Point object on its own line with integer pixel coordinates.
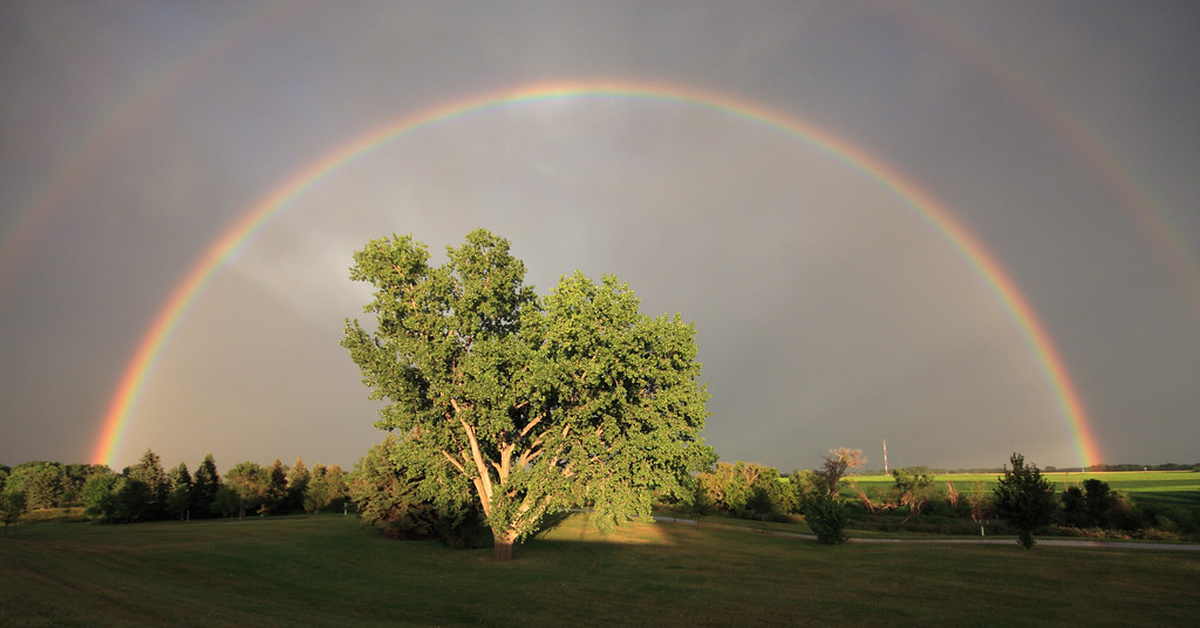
{"type": "Point", "coordinates": [937, 216]}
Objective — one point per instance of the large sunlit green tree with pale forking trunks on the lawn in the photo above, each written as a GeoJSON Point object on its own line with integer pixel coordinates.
{"type": "Point", "coordinates": [541, 404]}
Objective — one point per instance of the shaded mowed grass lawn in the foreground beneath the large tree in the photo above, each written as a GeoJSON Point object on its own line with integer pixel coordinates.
{"type": "Point", "coordinates": [331, 571]}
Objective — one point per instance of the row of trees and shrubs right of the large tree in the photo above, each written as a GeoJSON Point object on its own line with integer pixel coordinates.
{"type": "Point", "coordinates": [1023, 503]}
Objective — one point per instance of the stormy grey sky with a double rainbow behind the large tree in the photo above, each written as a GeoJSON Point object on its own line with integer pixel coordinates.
{"type": "Point", "coordinates": [965, 229]}
